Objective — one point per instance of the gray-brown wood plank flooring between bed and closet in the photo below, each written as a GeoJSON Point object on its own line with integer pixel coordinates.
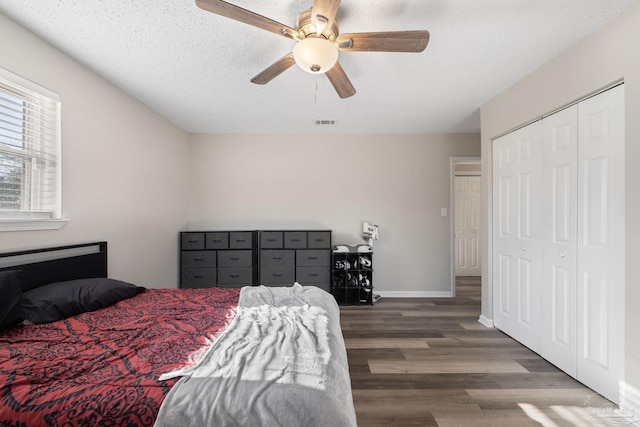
{"type": "Point", "coordinates": [428, 362]}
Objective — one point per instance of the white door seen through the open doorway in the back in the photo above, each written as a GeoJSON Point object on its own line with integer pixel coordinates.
{"type": "Point", "coordinates": [467, 225]}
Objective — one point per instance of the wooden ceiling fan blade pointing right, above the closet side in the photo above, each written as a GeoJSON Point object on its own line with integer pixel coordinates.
{"type": "Point", "coordinates": [393, 41]}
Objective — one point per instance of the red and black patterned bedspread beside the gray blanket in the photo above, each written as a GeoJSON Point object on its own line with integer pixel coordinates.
{"type": "Point", "coordinates": [101, 368]}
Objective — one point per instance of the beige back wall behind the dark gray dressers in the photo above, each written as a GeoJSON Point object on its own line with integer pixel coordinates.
{"type": "Point", "coordinates": [399, 182]}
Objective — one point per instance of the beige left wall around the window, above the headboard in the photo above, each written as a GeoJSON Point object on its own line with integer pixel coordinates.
{"type": "Point", "coordinates": [124, 168]}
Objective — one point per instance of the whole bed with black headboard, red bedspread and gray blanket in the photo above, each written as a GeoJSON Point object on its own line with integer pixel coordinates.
{"type": "Point", "coordinates": [78, 348]}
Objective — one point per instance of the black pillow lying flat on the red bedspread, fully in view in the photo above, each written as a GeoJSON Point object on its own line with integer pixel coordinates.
{"type": "Point", "coordinates": [60, 300]}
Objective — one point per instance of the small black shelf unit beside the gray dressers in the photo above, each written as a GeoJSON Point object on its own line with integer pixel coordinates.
{"type": "Point", "coordinates": [352, 278]}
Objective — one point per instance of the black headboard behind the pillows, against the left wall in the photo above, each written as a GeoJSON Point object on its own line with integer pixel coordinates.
{"type": "Point", "coordinates": [55, 264]}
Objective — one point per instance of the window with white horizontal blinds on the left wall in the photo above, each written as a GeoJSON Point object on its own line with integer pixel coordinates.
{"type": "Point", "coordinates": [29, 155]}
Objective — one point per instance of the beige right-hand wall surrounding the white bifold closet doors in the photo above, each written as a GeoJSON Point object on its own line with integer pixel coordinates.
{"type": "Point", "coordinates": [610, 54]}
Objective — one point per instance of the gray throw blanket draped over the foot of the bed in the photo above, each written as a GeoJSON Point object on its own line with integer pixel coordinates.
{"type": "Point", "coordinates": [281, 362]}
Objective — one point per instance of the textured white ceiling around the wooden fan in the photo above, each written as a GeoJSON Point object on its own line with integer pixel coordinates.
{"type": "Point", "coordinates": [194, 67]}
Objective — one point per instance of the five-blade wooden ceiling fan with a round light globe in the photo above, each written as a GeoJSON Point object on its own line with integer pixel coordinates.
{"type": "Point", "coordinates": [318, 41]}
